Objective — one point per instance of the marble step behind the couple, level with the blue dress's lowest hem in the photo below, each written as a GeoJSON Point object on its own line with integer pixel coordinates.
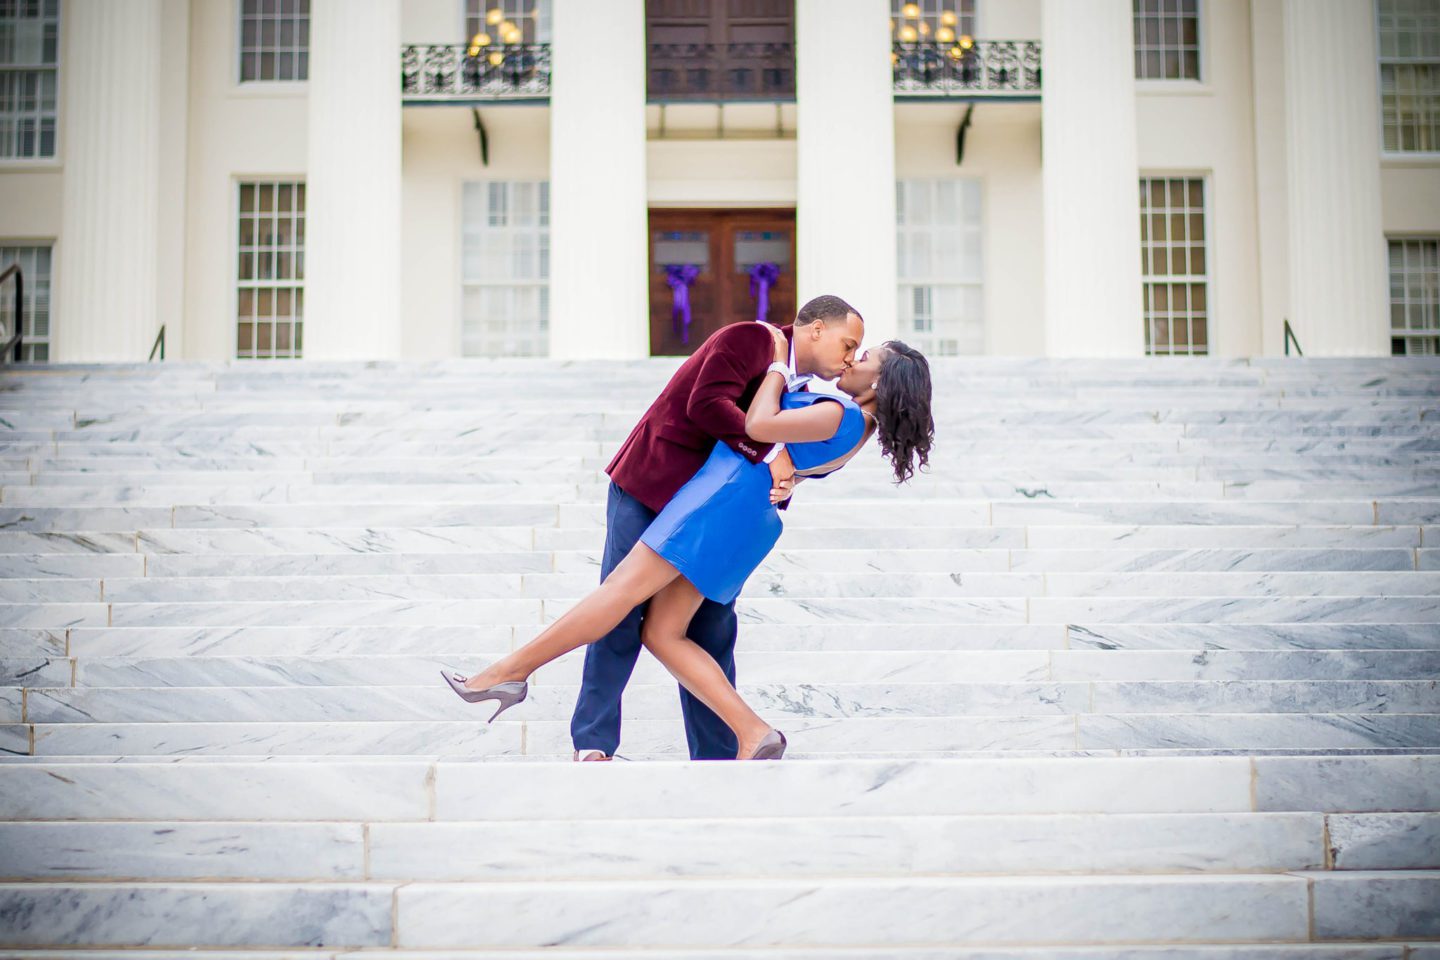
{"type": "Point", "coordinates": [800, 585]}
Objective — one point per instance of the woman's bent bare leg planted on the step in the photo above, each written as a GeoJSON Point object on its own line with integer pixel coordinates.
{"type": "Point", "coordinates": [665, 635]}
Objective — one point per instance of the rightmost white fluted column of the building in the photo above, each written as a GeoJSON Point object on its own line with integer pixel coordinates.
{"type": "Point", "coordinates": [1338, 274]}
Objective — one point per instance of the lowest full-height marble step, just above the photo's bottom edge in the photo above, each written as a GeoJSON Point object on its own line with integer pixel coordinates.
{"type": "Point", "coordinates": [709, 913]}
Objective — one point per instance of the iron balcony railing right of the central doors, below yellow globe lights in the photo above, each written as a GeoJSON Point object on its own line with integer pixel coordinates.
{"type": "Point", "coordinates": [983, 71]}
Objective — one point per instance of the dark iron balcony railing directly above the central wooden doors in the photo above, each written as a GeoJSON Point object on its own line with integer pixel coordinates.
{"type": "Point", "coordinates": [715, 73]}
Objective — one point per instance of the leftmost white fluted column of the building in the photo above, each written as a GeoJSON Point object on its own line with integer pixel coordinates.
{"type": "Point", "coordinates": [106, 300]}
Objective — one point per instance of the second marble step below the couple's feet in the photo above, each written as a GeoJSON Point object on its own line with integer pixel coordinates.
{"type": "Point", "coordinates": [699, 848]}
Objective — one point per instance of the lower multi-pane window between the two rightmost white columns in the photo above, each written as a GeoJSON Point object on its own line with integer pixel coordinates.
{"type": "Point", "coordinates": [1174, 263]}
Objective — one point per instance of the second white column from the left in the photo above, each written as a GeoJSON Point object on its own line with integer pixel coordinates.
{"type": "Point", "coordinates": [354, 182]}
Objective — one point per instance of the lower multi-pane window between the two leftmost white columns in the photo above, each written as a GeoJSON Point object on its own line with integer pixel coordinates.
{"type": "Point", "coordinates": [271, 279]}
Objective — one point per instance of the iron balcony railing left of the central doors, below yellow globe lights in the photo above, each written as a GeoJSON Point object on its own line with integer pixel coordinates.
{"type": "Point", "coordinates": [462, 74]}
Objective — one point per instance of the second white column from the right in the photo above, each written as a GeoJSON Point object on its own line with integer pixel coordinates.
{"type": "Point", "coordinates": [1091, 181]}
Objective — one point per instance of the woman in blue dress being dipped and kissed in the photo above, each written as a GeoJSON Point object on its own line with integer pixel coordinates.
{"type": "Point", "coordinates": [722, 525]}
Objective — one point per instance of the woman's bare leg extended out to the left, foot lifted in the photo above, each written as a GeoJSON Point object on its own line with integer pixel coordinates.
{"type": "Point", "coordinates": [637, 579]}
